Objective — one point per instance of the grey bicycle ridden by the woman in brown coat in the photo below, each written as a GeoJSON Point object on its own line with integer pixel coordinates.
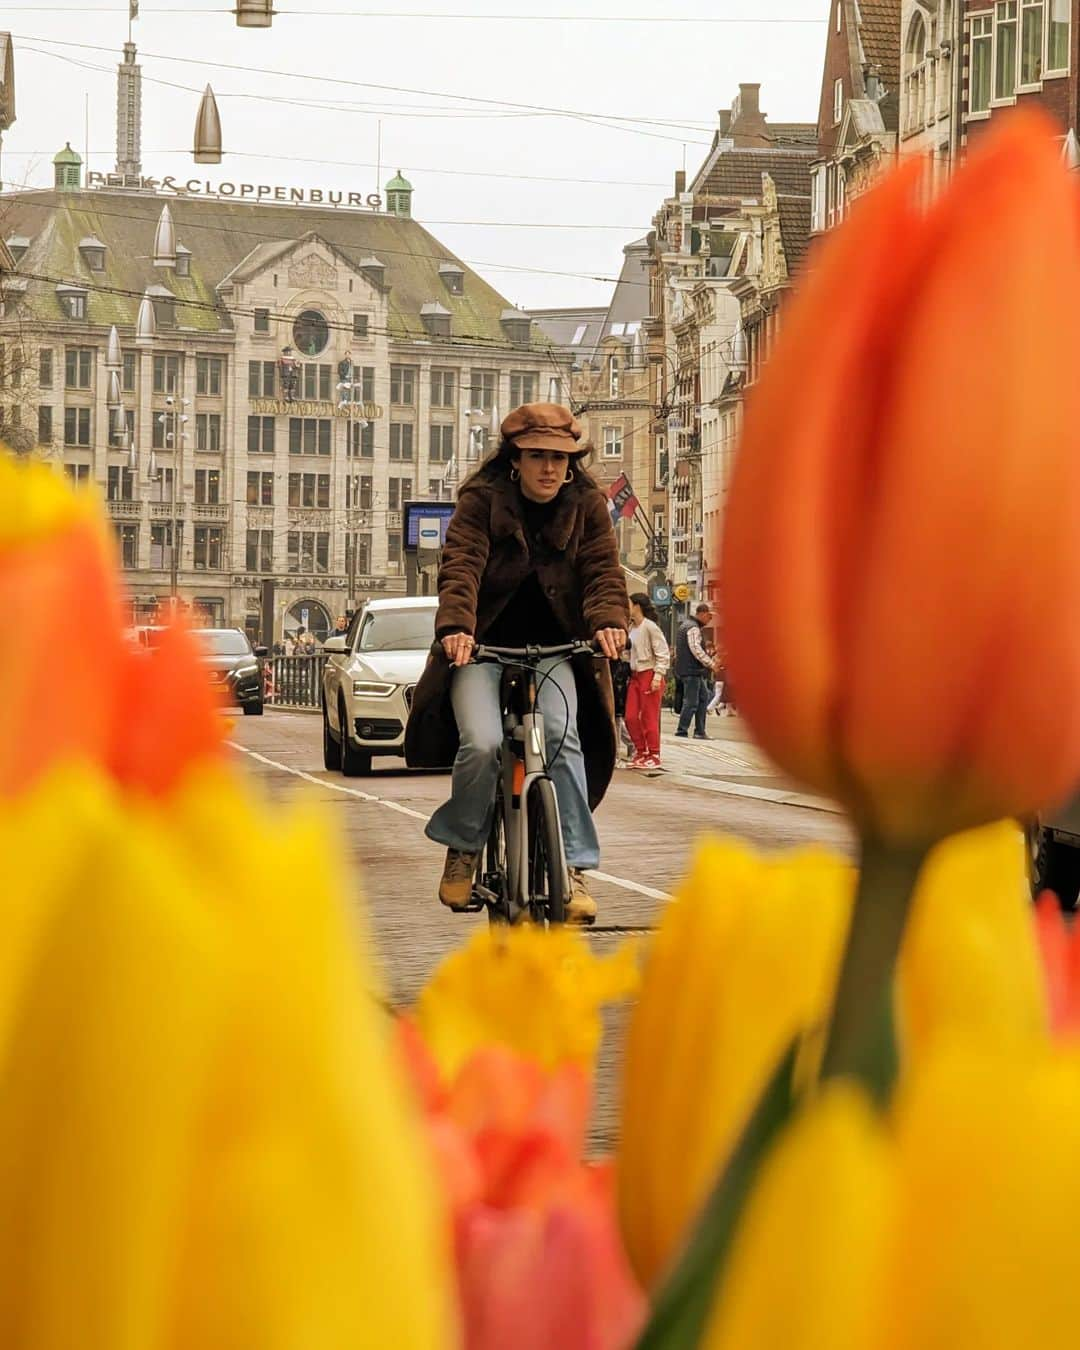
{"type": "Point", "coordinates": [523, 870]}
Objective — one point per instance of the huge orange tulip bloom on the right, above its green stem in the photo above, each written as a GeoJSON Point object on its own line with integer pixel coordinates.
{"type": "Point", "coordinates": [901, 553]}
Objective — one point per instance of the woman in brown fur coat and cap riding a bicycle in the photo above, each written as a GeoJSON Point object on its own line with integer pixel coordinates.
{"type": "Point", "coordinates": [530, 560]}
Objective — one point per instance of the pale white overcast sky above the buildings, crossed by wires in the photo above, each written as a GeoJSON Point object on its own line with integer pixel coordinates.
{"type": "Point", "coordinates": [665, 71]}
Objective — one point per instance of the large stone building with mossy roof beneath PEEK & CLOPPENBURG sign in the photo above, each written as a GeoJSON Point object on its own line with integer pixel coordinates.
{"type": "Point", "coordinates": [290, 466]}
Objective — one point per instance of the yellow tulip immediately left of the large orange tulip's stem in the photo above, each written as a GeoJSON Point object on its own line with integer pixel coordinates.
{"type": "Point", "coordinates": [745, 961]}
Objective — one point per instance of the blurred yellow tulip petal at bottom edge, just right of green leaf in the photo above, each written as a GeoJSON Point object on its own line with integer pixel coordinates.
{"type": "Point", "coordinates": [807, 1264]}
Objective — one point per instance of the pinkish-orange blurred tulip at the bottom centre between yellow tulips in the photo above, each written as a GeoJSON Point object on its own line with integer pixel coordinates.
{"type": "Point", "coordinates": [539, 1258]}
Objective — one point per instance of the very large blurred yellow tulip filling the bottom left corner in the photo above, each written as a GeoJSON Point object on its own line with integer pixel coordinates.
{"type": "Point", "coordinates": [203, 1139]}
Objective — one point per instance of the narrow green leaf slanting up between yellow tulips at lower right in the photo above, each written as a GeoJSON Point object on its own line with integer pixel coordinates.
{"type": "Point", "coordinates": [682, 1306]}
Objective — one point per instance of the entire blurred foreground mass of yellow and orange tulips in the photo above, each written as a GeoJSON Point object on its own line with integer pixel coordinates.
{"type": "Point", "coordinates": [851, 1094]}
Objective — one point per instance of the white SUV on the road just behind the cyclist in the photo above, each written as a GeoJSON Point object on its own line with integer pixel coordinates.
{"type": "Point", "coordinates": [369, 681]}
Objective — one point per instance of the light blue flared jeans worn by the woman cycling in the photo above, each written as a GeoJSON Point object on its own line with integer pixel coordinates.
{"type": "Point", "coordinates": [465, 821]}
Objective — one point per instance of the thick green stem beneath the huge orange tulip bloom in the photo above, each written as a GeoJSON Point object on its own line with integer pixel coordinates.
{"type": "Point", "coordinates": [862, 1033]}
